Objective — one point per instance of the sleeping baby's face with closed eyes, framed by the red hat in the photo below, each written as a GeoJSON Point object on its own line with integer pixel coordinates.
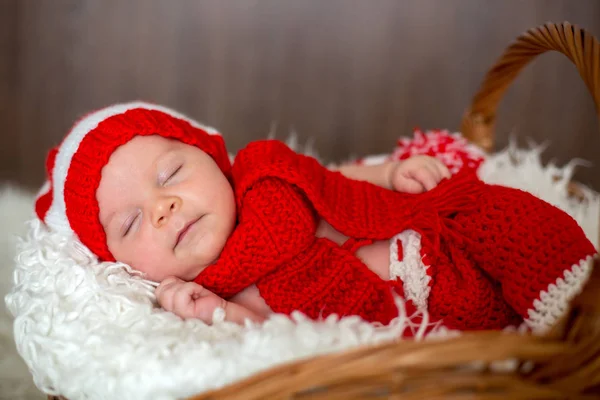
{"type": "Point", "coordinates": [166, 207]}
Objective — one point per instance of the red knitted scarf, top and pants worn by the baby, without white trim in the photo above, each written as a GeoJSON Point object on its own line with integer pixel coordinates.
{"type": "Point", "coordinates": [491, 249]}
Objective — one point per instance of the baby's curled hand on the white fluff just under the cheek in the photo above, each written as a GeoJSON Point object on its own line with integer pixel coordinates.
{"type": "Point", "coordinates": [188, 299]}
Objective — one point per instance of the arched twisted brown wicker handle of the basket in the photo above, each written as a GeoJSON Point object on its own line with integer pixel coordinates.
{"type": "Point", "coordinates": [578, 45]}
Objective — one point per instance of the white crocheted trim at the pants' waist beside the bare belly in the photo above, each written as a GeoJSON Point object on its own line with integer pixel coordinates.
{"type": "Point", "coordinates": [411, 269]}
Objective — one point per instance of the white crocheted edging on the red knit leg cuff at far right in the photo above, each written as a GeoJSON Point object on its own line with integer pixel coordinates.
{"type": "Point", "coordinates": [554, 302]}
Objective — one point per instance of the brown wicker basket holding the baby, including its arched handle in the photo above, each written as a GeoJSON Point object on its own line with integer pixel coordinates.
{"type": "Point", "coordinates": [565, 363]}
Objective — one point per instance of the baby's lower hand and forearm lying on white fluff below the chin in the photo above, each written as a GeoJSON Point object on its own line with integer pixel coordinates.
{"type": "Point", "coordinates": [190, 300]}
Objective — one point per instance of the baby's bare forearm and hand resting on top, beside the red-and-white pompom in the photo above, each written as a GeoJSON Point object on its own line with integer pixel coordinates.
{"type": "Point", "coordinates": [414, 175]}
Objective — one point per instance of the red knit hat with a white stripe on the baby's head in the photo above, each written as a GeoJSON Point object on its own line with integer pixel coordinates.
{"type": "Point", "coordinates": [67, 202]}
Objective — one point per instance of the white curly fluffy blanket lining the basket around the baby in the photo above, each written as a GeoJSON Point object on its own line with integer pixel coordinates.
{"type": "Point", "coordinates": [93, 331]}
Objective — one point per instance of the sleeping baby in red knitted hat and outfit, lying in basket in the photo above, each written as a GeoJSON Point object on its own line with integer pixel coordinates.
{"type": "Point", "coordinates": [277, 232]}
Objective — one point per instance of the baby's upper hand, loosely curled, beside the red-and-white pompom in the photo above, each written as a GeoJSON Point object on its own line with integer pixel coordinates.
{"type": "Point", "coordinates": [418, 174]}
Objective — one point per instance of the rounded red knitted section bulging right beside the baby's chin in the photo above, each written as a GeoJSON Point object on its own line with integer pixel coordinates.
{"type": "Point", "coordinates": [275, 224]}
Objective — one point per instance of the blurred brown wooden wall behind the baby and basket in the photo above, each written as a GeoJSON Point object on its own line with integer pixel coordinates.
{"type": "Point", "coordinates": [350, 75]}
